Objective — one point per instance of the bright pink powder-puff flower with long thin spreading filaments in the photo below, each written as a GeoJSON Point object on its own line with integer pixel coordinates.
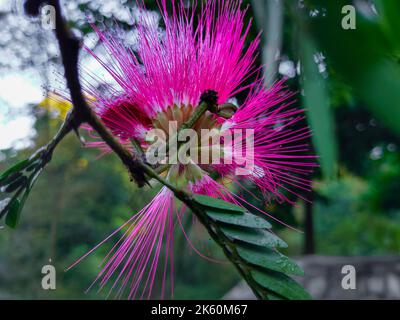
{"type": "Point", "coordinates": [200, 52]}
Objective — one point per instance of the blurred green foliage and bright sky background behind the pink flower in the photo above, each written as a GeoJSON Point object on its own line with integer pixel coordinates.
{"type": "Point", "coordinates": [347, 77]}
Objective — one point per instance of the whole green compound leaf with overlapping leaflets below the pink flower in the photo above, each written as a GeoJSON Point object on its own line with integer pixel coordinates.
{"type": "Point", "coordinates": [248, 237]}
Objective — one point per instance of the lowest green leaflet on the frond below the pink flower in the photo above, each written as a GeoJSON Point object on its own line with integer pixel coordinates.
{"type": "Point", "coordinates": [280, 284]}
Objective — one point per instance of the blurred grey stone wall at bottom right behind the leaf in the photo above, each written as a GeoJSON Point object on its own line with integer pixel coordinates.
{"type": "Point", "coordinates": [375, 278]}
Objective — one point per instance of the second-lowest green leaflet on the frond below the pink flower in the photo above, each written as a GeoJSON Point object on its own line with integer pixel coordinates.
{"type": "Point", "coordinates": [269, 259]}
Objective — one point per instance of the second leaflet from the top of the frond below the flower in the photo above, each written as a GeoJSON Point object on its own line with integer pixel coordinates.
{"type": "Point", "coordinates": [245, 219]}
